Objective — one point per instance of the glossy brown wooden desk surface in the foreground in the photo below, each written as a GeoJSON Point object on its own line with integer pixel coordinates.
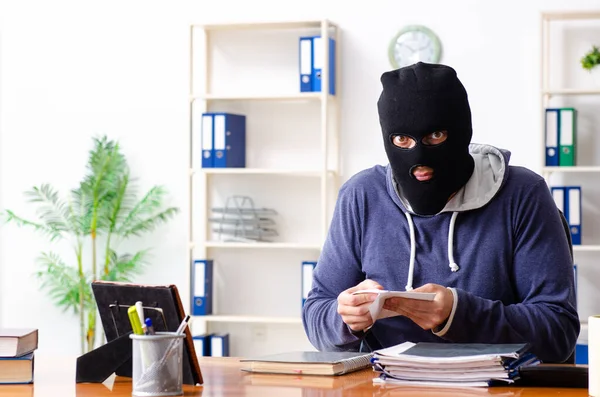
{"type": "Point", "coordinates": [223, 377]}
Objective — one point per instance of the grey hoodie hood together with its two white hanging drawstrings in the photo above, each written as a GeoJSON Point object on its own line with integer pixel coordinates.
{"type": "Point", "coordinates": [489, 175]}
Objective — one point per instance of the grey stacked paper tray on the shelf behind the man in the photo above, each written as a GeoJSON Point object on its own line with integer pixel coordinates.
{"type": "Point", "coordinates": [241, 221]}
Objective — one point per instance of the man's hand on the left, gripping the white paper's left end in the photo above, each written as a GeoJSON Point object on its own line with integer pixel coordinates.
{"type": "Point", "coordinates": [354, 309]}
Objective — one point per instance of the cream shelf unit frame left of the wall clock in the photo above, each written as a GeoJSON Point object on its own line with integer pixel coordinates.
{"type": "Point", "coordinates": [325, 172]}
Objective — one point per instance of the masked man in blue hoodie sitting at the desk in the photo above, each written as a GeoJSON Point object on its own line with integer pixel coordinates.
{"type": "Point", "coordinates": [448, 217]}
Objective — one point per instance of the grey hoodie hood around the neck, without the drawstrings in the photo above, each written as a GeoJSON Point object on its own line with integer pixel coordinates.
{"type": "Point", "coordinates": [491, 170]}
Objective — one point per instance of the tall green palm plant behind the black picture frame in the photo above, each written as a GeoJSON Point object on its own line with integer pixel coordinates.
{"type": "Point", "coordinates": [101, 212]}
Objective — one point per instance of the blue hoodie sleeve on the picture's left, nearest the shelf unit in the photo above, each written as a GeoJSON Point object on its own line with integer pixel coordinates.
{"type": "Point", "coordinates": [338, 269]}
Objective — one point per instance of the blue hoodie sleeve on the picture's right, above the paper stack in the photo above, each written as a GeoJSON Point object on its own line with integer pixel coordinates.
{"type": "Point", "coordinates": [543, 283]}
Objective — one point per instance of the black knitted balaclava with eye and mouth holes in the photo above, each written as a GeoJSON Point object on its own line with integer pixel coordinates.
{"type": "Point", "coordinates": [416, 101]}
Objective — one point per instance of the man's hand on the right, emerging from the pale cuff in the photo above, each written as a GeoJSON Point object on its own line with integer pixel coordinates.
{"type": "Point", "coordinates": [427, 315]}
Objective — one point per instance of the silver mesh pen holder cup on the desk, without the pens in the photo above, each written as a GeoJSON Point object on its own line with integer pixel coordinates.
{"type": "Point", "coordinates": [157, 364]}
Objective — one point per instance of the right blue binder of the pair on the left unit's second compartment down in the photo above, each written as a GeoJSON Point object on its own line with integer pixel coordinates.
{"type": "Point", "coordinates": [229, 140]}
